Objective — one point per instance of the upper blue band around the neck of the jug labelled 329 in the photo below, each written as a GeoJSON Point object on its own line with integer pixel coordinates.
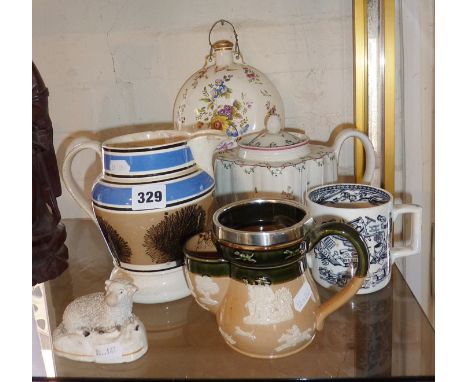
{"type": "Point", "coordinates": [151, 162]}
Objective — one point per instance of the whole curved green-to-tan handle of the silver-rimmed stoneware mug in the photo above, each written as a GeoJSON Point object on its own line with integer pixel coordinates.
{"type": "Point", "coordinates": [351, 288]}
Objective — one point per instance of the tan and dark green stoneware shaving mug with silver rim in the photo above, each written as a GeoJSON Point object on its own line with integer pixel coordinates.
{"type": "Point", "coordinates": [258, 283]}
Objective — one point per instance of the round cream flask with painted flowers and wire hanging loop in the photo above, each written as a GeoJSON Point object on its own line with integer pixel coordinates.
{"type": "Point", "coordinates": [228, 95]}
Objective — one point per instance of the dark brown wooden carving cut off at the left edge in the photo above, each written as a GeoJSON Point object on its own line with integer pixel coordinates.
{"type": "Point", "coordinates": [49, 253]}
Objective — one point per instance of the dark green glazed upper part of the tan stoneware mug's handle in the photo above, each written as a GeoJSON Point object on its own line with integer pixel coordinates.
{"type": "Point", "coordinates": [350, 234]}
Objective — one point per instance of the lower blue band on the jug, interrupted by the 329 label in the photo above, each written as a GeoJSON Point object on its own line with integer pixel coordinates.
{"type": "Point", "coordinates": [183, 189]}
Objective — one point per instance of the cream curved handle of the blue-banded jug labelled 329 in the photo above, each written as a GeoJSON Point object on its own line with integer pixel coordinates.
{"type": "Point", "coordinates": [70, 182]}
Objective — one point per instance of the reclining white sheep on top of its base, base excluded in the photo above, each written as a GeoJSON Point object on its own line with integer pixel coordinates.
{"type": "Point", "coordinates": [102, 312]}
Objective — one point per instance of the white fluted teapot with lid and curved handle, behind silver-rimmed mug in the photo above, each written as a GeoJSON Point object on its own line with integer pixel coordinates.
{"type": "Point", "coordinates": [276, 163]}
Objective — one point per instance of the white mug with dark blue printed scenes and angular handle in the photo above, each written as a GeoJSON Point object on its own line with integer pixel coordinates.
{"type": "Point", "coordinates": [371, 211]}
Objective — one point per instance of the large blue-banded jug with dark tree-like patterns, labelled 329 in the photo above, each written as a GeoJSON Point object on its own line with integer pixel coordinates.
{"type": "Point", "coordinates": [155, 191]}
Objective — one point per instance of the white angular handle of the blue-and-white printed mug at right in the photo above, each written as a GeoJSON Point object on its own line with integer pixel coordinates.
{"type": "Point", "coordinates": [416, 230]}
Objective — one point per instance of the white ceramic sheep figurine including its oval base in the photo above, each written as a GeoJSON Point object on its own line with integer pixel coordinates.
{"type": "Point", "coordinates": [100, 327]}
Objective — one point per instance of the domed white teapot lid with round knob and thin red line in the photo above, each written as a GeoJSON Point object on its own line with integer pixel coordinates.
{"type": "Point", "coordinates": [274, 142]}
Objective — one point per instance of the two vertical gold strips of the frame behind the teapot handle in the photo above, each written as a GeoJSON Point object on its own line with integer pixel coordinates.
{"type": "Point", "coordinates": [361, 86]}
